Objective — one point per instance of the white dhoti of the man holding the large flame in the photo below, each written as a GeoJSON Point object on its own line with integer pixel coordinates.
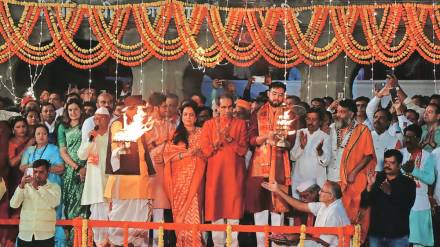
{"type": "Point", "coordinates": [130, 210]}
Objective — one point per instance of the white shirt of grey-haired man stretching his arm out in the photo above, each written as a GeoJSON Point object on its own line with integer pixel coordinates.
{"type": "Point", "coordinates": [332, 215]}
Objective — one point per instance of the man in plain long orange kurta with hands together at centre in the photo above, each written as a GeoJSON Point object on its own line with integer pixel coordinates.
{"type": "Point", "coordinates": [224, 143]}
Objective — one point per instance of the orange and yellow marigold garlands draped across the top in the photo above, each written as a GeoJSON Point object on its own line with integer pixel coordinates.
{"type": "Point", "coordinates": [375, 42]}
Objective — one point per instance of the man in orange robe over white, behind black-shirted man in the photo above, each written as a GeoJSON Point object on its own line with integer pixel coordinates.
{"type": "Point", "coordinates": [353, 158]}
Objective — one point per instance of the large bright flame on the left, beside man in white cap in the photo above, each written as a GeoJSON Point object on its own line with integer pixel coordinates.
{"type": "Point", "coordinates": [133, 131]}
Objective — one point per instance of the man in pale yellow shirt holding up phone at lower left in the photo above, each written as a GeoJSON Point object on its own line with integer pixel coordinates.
{"type": "Point", "coordinates": [38, 199]}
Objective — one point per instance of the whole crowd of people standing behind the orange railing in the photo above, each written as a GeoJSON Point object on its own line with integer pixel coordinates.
{"type": "Point", "coordinates": [331, 163]}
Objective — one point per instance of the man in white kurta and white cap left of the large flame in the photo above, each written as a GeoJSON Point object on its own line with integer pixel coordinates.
{"type": "Point", "coordinates": [95, 152]}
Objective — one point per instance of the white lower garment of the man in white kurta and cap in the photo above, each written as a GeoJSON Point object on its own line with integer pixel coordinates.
{"type": "Point", "coordinates": [100, 211]}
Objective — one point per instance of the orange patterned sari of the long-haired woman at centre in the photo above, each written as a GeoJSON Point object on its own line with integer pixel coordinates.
{"type": "Point", "coordinates": [179, 178]}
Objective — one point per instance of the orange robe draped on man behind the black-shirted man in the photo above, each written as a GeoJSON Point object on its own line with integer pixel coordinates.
{"type": "Point", "coordinates": [359, 146]}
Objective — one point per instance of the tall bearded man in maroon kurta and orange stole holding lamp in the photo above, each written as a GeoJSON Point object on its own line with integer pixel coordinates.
{"type": "Point", "coordinates": [269, 162]}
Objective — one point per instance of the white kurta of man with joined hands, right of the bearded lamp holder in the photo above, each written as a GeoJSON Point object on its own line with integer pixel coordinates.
{"type": "Point", "coordinates": [308, 164]}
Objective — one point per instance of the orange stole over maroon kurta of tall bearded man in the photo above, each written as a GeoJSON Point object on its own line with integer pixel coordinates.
{"type": "Point", "coordinates": [266, 158]}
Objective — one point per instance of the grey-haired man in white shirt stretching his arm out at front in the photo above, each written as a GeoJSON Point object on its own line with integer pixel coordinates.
{"type": "Point", "coordinates": [329, 211]}
